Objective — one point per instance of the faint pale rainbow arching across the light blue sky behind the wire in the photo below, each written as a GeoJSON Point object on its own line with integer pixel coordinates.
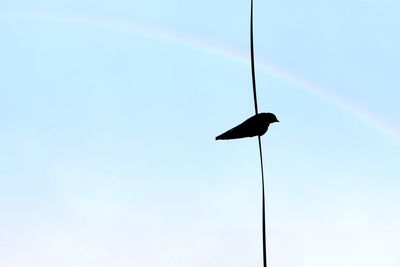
{"type": "Point", "coordinates": [216, 49]}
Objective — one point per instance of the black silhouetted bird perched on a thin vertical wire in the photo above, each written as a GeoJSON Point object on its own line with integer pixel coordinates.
{"type": "Point", "coordinates": [256, 125]}
